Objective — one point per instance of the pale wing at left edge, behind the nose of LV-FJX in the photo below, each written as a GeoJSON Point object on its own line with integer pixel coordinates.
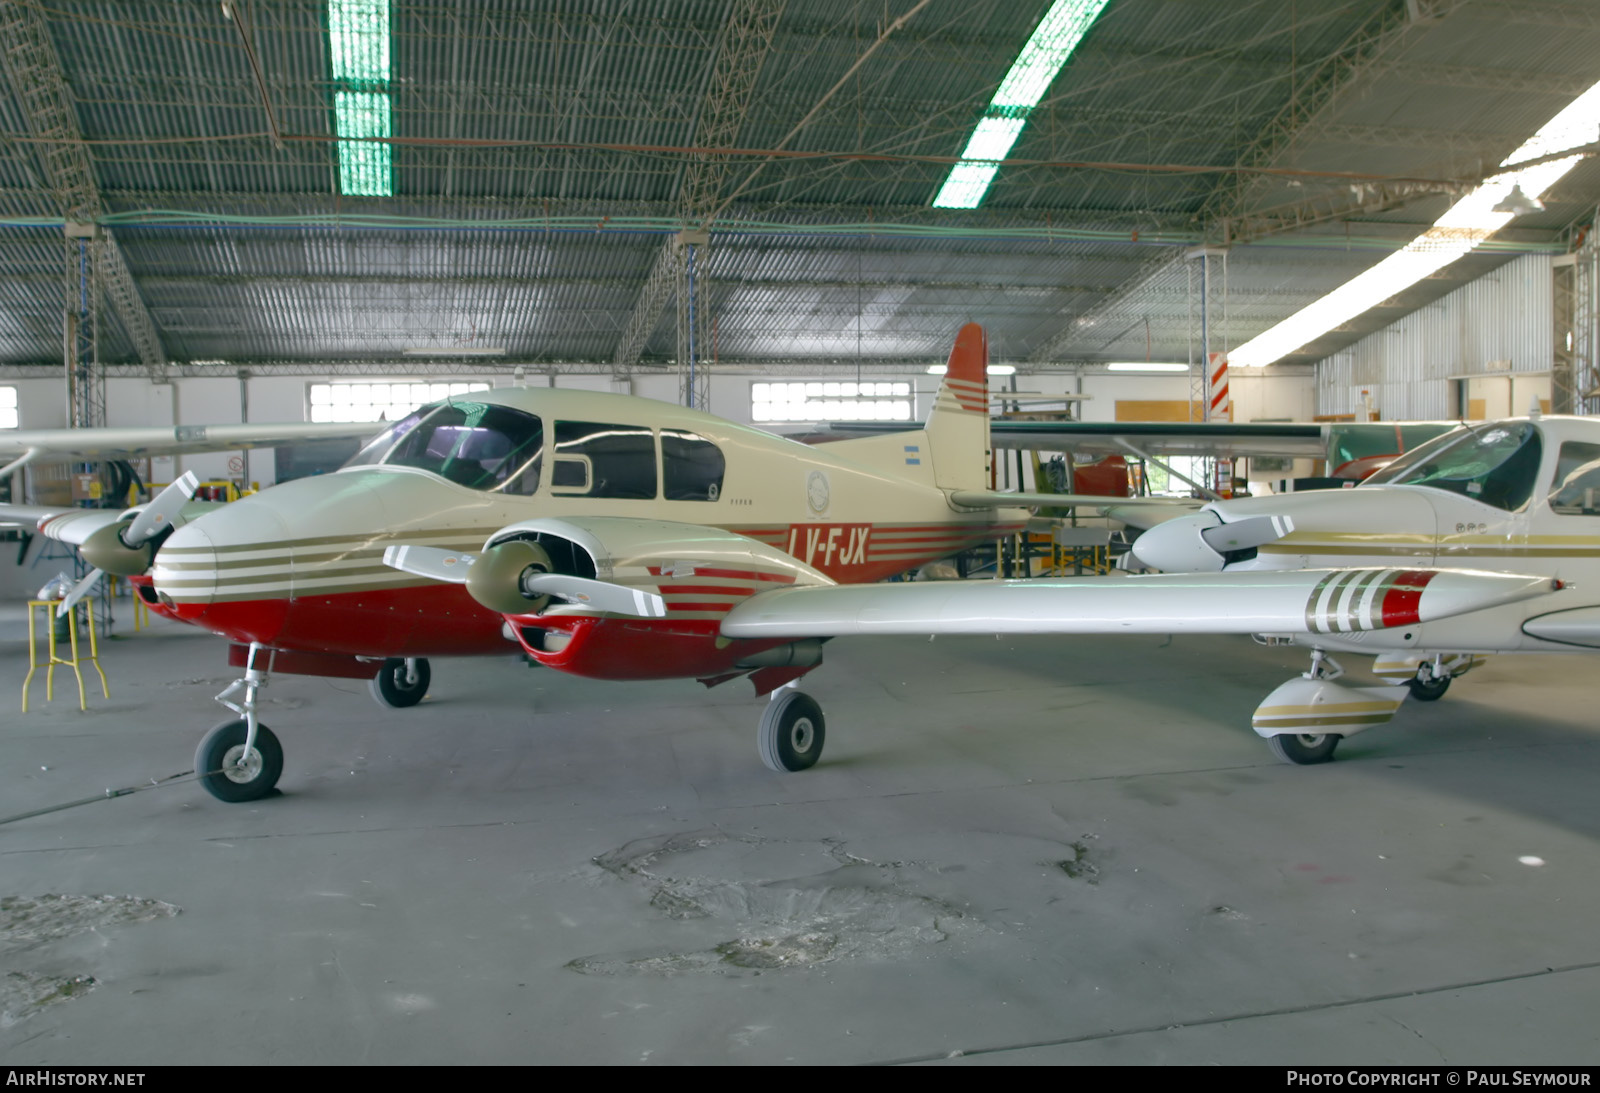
{"type": "Point", "coordinates": [66, 446]}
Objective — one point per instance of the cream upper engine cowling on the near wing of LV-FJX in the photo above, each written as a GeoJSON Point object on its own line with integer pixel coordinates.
{"type": "Point", "coordinates": [626, 553]}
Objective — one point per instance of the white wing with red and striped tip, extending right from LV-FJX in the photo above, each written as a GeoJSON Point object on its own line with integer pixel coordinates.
{"type": "Point", "coordinates": [1268, 603]}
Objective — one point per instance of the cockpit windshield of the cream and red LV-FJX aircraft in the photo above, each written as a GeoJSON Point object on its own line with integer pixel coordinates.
{"type": "Point", "coordinates": [474, 444]}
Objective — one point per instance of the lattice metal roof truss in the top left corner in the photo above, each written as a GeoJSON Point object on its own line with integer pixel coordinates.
{"type": "Point", "coordinates": [41, 89]}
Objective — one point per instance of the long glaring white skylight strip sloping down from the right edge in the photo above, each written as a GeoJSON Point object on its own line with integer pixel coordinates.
{"type": "Point", "coordinates": [1468, 223]}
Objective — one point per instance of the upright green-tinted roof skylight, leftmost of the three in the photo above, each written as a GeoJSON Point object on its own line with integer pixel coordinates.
{"type": "Point", "coordinates": [359, 55]}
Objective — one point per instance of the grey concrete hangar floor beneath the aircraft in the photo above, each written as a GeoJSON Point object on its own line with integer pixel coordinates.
{"type": "Point", "coordinates": [1050, 851]}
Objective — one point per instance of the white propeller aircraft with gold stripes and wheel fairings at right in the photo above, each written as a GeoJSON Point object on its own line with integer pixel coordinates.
{"type": "Point", "coordinates": [1514, 497]}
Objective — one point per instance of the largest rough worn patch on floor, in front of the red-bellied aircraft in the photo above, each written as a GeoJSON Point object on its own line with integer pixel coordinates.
{"type": "Point", "coordinates": [849, 910]}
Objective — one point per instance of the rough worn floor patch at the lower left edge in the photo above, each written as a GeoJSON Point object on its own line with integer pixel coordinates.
{"type": "Point", "coordinates": [31, 923]}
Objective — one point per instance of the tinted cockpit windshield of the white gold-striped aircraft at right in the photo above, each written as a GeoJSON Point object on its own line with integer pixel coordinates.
{"type": "Point", "coordinates": [1497, 465]}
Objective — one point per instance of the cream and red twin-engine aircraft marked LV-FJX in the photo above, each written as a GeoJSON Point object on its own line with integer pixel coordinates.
{"type": "Point", "coordinates": [625, 540]}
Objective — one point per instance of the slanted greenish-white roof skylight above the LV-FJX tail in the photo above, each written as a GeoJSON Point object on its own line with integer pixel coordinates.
{"type": "Point", "coordinates": [1025, 86]}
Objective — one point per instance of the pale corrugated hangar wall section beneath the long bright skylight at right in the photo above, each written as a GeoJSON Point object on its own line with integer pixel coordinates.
{"type": "Point", "coordinates": [1502, 322]}
